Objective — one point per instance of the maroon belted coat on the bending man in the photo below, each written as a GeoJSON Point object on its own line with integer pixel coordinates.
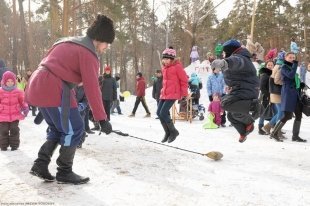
{"type": "Point", "coordinates": [68, 62]}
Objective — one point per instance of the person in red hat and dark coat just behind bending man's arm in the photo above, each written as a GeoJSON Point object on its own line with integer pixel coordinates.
{"type": "Point", "coordinates": [108, 90]}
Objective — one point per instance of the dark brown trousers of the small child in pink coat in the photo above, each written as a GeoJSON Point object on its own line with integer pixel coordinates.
{"type": "Point", "coordinates": [9, 134]}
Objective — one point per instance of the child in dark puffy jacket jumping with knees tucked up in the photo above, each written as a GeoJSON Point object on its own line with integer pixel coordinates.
{"type": "Point", "coordinates": [243, 88]}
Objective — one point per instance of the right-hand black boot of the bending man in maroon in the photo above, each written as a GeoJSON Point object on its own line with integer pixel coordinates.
{"type": "Point", "coordinates": [65, 174]}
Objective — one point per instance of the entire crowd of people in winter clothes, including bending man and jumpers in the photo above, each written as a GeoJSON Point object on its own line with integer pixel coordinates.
{"type": "Point", "coordinates": [235, 87]}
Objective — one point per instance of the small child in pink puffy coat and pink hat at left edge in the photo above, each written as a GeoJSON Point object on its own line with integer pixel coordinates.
{"type": "Point", "coordinates": [12, 109]}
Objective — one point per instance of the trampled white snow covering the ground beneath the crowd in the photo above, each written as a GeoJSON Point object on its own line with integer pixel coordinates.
{"type": "Point", "coordinates": [128, 171]}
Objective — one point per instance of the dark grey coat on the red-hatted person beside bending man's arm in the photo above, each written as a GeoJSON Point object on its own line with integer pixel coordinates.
{"type": "Point", "coordinates": [108, 88]}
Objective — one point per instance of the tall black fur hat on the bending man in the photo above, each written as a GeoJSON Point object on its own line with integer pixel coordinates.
{"type": "Point", "coordinates": [102, 29]}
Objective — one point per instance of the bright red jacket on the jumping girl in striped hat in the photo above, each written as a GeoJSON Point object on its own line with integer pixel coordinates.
{"type": "Point", "coordinates": [175, 81]}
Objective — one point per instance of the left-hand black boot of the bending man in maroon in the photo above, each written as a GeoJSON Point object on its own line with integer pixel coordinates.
{"type": "Point", "coordinates": [40, 166]}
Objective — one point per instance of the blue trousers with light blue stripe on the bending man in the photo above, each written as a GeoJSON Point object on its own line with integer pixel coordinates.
{"type": "Point", "coordinates": [52, 116]}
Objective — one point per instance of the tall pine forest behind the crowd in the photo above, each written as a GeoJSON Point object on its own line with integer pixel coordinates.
{"type": "Point", "coordinates": [28, 28]}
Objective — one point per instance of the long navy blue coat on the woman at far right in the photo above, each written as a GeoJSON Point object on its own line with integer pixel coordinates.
{"type": "Point", "coordinates": [289, 93]}
